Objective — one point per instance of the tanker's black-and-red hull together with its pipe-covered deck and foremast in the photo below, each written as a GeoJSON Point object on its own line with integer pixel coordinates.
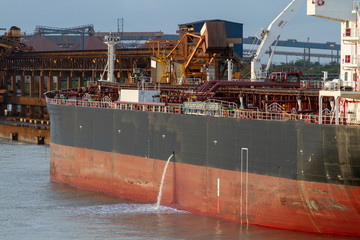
{"type": "Point", "coordinates": [279, 153]}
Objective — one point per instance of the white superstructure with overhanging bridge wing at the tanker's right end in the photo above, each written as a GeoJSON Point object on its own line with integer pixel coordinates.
{"type": "Point", "coordinates": [345, 100]}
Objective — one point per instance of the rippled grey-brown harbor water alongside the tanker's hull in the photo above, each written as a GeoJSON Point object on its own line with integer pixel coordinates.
{"type": "Point", "coordinates": [34, 207]}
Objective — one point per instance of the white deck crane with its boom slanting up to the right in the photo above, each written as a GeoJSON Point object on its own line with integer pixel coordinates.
{"type": "Point", "coordinates": [270, 35]}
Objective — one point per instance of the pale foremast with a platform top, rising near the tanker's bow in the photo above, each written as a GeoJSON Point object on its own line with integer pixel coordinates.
{"type": "Point", "coordinates": [111, 41]}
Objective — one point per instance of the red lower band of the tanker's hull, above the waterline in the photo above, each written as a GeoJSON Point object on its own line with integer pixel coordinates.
{"type": "Point", "coordinates": [272, 202]}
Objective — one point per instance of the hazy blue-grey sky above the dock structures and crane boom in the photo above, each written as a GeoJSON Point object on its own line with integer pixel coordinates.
{"type": "Point", "coordinates": [162, 15]}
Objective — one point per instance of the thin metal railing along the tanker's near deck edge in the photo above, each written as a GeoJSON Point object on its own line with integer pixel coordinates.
{"type": "Point", "coordinates": [252, 114]}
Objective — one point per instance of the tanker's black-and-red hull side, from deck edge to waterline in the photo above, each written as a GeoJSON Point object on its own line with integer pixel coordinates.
{"type": "Point", "coordinates": [265, 168]}
